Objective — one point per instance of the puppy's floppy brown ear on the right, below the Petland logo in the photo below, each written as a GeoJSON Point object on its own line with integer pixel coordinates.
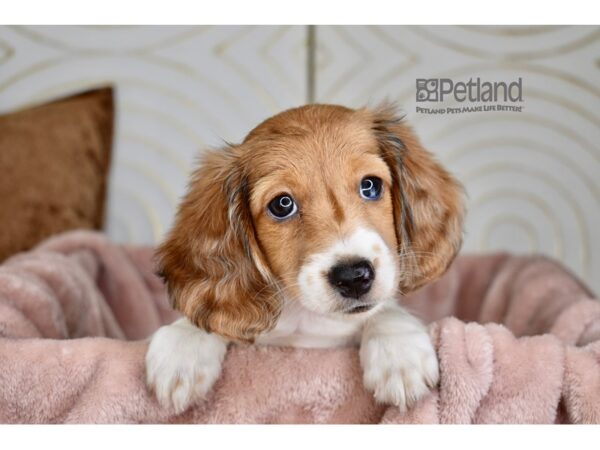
{"type": "Point", "coordinates": [428, 202]}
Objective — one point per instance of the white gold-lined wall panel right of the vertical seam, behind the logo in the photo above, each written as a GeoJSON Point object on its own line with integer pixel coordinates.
{"type": "Point", "coordinates": [547, 156]}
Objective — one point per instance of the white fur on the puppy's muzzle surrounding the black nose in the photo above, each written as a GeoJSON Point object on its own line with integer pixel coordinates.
{"type": "Point", "coordinates": [316, 293]}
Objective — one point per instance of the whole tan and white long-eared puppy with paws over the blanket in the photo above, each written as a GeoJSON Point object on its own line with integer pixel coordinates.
{"type": "Point", "coordinates": [305, 235]}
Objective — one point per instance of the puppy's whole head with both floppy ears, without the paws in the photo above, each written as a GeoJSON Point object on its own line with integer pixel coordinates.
{"type": "Point", "coordinates": [337, 209]}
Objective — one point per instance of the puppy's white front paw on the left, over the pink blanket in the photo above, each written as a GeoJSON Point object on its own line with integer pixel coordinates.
{"type": "Point", "coordinates": [182, 364]}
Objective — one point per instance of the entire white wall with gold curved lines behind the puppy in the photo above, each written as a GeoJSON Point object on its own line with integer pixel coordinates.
{"type": "Point", "coordinates": [533, 177]}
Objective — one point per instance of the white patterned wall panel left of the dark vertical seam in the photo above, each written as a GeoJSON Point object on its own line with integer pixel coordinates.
{"type": "Point", "coordinates": [179, 89]}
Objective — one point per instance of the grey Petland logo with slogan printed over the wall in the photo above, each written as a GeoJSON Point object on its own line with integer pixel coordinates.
{"type": "Point", "coordinates": [489, 93]}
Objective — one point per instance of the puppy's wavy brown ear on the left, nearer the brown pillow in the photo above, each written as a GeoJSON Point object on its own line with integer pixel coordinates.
{"type": "Point", "coordinates": [214, 269]}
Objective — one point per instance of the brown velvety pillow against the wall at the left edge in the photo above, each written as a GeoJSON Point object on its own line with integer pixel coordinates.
{"type": "Point", "coordinates": [54, 162]}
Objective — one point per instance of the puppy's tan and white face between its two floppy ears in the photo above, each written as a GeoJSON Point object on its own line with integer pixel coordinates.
{"type": "Point", "coordinates": [322, 206]}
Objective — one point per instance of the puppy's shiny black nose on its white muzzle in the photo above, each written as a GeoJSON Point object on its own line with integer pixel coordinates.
{"type": "Point", "coordinates": [352, 279]}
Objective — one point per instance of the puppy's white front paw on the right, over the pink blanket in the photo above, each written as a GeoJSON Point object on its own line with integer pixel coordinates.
{"type": "Point", "coordinates": [399, 369]}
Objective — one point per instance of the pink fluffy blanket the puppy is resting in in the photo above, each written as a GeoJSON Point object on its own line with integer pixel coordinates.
{"type": "Point", "coordinates": [518, 340]}
